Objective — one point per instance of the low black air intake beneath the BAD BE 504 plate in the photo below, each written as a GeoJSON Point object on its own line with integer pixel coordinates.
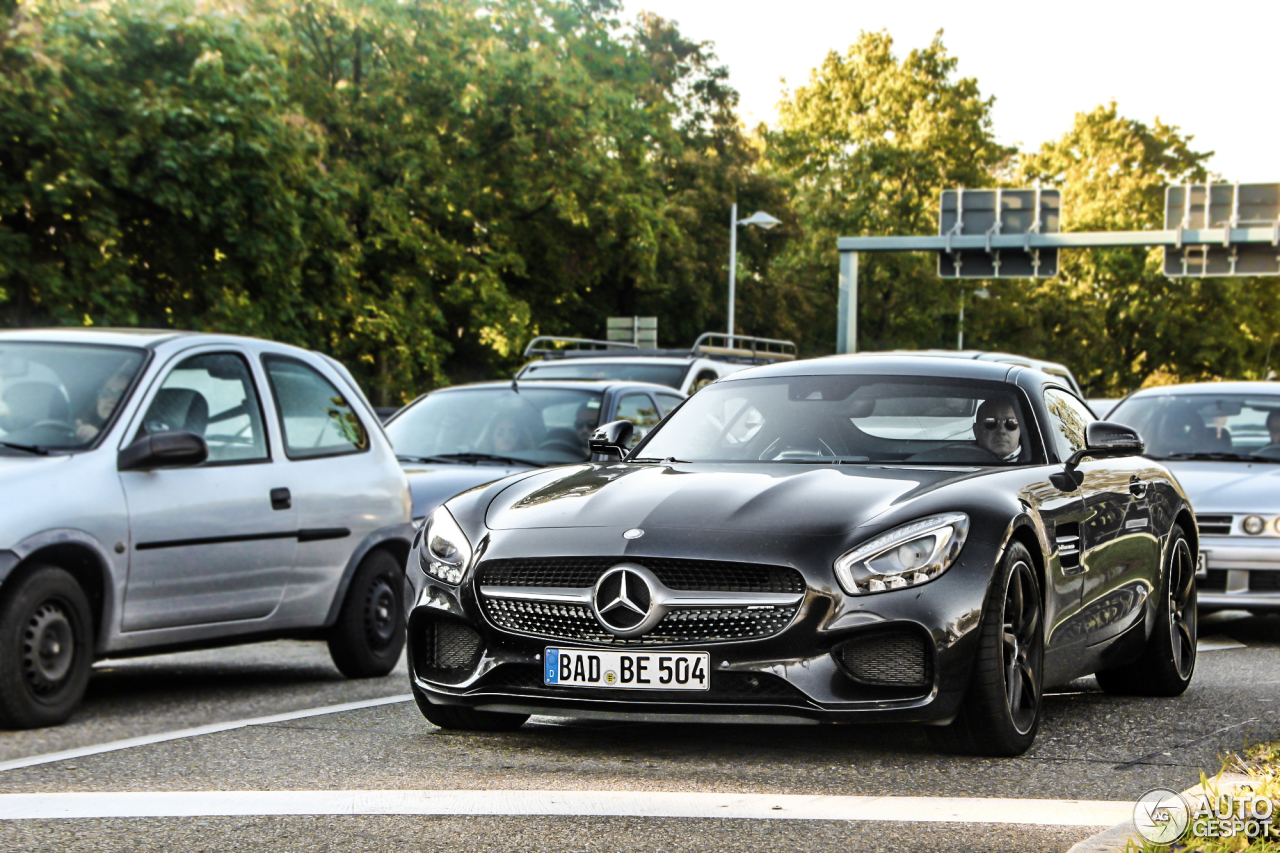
{"type": "Point", "coordinates": [726, 687]}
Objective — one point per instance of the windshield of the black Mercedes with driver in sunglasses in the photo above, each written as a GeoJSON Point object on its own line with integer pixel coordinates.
{"type": "Point", "coordinates": [897, 421]}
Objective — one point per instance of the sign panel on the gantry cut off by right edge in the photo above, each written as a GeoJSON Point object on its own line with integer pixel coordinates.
{"type": "Point", "coordinates": [1223, 206]}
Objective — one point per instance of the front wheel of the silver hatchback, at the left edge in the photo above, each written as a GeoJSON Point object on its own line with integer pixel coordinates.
{"type": "Point", "coordinates": [47, 649]}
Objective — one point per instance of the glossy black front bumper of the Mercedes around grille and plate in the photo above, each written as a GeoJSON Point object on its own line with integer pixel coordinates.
{"type": "Point", "coordinates": [790, 677]}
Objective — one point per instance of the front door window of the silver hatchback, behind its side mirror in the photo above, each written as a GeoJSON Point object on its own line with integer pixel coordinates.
{"type": "Point", "coordinates": [214, 398]}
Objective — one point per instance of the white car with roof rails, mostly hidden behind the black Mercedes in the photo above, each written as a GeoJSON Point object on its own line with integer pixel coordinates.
{"type": "Point", "coordinates": [687, 371]}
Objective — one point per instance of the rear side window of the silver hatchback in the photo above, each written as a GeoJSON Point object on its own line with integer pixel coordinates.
{"type": "Point", "coordinates": [317, 419]}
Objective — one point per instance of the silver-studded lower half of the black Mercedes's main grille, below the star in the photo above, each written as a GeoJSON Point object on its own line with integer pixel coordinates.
{"type": "Point", "coordinates": [687, 626]}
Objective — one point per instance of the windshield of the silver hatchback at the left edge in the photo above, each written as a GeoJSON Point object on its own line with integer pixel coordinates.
{"type": "Point", "coordinates": [62, 396]}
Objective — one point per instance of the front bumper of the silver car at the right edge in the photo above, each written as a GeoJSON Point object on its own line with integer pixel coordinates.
{"type": "Point", "coordinates": [1242, 574]}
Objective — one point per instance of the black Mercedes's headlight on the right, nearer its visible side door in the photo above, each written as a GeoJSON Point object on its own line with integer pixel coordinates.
{"type": "Point", "coordinates": [907, 556]}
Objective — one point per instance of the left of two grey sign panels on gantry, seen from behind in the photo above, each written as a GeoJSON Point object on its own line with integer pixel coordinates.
{"type": "Point", "coordinates": [994, 213]}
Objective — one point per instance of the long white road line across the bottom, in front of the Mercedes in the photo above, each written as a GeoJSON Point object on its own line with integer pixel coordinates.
{"type": "Point", "coordinates": [223, 804]}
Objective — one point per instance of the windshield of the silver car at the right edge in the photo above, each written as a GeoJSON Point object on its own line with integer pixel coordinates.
{"type": "Point", "coordinates": [1205, 426]}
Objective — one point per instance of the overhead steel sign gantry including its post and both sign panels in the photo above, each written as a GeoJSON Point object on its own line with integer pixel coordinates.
{"type": "Point", "coordinates": [1210, 230]}
